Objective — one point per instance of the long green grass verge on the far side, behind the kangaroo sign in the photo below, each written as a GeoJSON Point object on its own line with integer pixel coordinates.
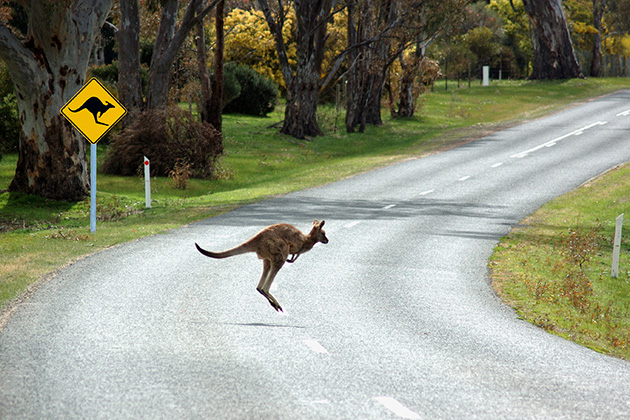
{"type": "Point", "coordinates": [38, 236]}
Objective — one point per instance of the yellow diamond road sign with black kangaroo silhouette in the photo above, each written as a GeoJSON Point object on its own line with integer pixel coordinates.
{"type": "Point", "coordinates": [93, 110]}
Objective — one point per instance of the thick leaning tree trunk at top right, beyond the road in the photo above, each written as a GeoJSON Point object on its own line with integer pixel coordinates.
{"type": "Point", "coordinates": [554, 57]}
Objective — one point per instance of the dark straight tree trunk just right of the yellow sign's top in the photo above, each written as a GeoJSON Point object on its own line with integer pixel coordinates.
{"type": "Point", "coordinates": [129, 78]}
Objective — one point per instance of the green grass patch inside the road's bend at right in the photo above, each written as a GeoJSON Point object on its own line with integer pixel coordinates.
{"type": "Point", "coordinates": [555, 268]}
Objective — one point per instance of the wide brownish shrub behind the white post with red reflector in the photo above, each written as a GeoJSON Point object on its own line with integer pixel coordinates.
{"type": "Point", "coordinates": [166, 137]}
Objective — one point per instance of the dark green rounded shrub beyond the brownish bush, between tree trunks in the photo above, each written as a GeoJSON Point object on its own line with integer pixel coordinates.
{"type": "Point", "coordinates": [258, 94]}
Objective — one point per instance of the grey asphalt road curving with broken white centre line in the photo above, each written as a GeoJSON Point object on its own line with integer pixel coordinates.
{"type": "Point", "coordinates": [394, 318]}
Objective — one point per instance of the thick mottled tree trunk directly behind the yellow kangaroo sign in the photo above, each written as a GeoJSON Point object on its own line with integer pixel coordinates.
{"type": "Point", "coordinates": [47, 69]}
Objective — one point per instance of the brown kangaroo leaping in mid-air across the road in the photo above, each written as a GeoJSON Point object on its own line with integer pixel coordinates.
{"type": "Point", "coordinates": [273, 245]}
